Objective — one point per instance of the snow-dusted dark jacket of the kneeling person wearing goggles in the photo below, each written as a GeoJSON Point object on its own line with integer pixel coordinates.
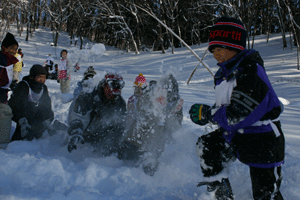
{"type": "Point", "coordinates": [101, 120]}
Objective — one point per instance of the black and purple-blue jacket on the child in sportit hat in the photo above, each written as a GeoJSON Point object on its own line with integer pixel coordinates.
{"type": "Point", "coordinates": [249, 115]}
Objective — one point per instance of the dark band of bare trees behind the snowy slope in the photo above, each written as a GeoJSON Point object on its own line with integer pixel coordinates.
{"type": "Point", "coordinates": [125, 25]}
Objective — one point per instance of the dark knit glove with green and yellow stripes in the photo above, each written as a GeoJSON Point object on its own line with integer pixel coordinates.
{"type": "Point", "coordinates": [200, 114]}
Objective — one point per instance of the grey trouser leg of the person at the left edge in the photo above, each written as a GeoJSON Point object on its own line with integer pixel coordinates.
{"type": "Point", "coordinates": [5, 125]}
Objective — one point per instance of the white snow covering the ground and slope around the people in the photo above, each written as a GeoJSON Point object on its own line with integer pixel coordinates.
{"type": "Point", "coordinates": [44, 169]}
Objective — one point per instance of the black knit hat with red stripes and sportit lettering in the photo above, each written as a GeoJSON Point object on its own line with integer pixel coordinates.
{"type": "Point", "coordinates": [228, 33]}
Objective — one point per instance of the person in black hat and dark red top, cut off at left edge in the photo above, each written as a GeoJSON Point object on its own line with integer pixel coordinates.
{"type": "Point", "coordinates": [9, 47]}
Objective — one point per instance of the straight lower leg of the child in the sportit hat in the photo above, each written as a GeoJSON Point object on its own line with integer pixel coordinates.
{"type": "Point", "coordinates": [266, 183]}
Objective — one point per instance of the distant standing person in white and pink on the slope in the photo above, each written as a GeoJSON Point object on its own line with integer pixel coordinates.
{"type": "Point", "coordinates": [64, 70]}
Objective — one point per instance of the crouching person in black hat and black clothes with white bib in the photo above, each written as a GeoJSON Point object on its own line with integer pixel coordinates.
{"type": "Point", "coordinates": [31, 105]}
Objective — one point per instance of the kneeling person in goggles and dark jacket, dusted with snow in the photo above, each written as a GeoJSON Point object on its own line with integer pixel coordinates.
{"type": "Point", "coordinates": [98, 117]}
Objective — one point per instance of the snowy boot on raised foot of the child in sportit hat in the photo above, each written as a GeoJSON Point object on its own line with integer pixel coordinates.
{"type": "Point", "coordinates": [222, 189]}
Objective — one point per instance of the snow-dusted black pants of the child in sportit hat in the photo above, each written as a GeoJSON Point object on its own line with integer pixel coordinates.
{"type": "Point", "coordinates": [215, 153]}
